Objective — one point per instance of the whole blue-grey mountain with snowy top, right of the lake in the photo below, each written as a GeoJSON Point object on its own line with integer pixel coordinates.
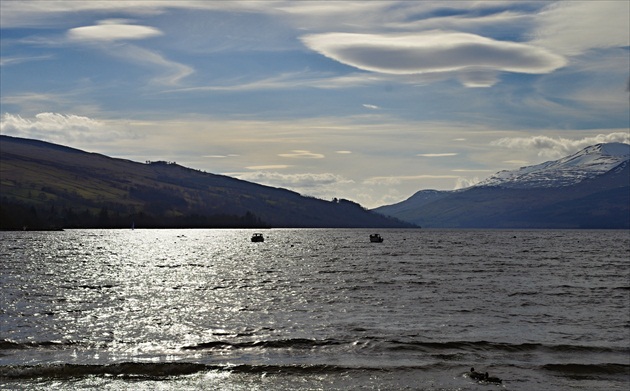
{"type": "Point", "coordinates": [589, 189]}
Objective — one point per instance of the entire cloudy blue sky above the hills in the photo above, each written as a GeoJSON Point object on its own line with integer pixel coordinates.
{"type": "Point", "coordinates": [369, 101]}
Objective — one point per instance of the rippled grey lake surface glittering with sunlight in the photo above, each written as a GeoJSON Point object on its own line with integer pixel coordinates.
{"type": "Point", "coordinates": [314, 309]}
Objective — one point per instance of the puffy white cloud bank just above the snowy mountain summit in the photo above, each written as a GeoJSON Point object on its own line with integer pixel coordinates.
{"type": "Point", "coordinates": [558, 147]}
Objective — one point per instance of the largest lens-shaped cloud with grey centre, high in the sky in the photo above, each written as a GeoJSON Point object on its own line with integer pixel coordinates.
{"type": "Point", "coordinates": [433, 52]}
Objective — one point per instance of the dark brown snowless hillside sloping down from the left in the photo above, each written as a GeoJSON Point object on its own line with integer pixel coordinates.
{"type": "Point", "coordinates": [44, 185]}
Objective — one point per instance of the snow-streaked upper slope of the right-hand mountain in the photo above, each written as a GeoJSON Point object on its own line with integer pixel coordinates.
{"type": "Point", "coordinates": [588, 163]}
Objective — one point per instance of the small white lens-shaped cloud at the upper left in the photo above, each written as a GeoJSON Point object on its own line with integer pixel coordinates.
{"type": "Point", "coordinates": [112, 30]}
